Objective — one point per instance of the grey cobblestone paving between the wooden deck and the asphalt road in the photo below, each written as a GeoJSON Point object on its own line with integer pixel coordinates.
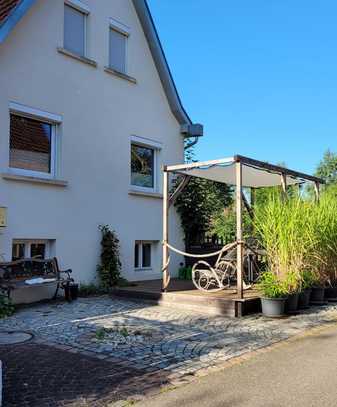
{"type": "Point", "coordinates": [164, 346]}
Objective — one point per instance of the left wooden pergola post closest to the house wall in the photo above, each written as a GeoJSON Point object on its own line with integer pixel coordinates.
{"type": "Point", "coordinates": [166, 274]}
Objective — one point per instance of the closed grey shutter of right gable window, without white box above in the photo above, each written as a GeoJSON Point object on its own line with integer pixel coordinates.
{"type": "Point", "coordinates": [117, 52]}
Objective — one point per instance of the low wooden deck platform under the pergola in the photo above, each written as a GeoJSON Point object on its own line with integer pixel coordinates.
{"type": "Point", "coordinates": [182, 293]}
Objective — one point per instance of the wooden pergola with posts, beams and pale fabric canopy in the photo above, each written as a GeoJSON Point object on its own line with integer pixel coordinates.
{"type": "Point", "coordinates": [239, 171]}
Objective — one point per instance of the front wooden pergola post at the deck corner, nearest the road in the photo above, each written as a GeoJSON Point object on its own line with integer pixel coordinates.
{"type": "Point", "coordinates": [239, 251]}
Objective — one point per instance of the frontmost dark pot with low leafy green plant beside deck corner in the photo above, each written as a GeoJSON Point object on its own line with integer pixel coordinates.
{"type": "Point", "coordinates": [273, 292]}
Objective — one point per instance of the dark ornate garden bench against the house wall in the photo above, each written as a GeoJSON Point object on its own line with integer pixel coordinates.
{"type": "Point", "coordinates": [32, 272]}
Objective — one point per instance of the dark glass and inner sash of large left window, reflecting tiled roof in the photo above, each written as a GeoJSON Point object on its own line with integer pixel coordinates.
{"type": "Point", "coordinates": [31, 144]}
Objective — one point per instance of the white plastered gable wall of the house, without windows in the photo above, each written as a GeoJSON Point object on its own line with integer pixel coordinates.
{"type": "Point", "coordinates": [100, 113]}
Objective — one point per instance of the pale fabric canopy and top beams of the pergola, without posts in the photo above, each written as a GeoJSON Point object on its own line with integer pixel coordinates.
{"type": "Point", "coordinates": [255, 174]}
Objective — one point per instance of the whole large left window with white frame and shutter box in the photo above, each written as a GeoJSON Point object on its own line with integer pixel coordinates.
{"type": "Point", "coordinates": [32, 141]}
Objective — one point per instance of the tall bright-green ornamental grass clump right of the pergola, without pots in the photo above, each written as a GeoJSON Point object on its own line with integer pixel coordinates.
{"type": "Point", "coordinates": [287, 233]}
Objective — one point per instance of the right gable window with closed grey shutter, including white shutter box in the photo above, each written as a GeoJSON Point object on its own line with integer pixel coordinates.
{"type": "Point", "coordinates": [118, 46]}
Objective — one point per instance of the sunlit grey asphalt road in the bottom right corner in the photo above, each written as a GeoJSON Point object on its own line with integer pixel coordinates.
{"type": "Point", "coordinates": [300, 373]}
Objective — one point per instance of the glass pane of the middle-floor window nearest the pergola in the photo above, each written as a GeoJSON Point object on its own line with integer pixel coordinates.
{"type": "Point", "coordinates": [142, 166]}
